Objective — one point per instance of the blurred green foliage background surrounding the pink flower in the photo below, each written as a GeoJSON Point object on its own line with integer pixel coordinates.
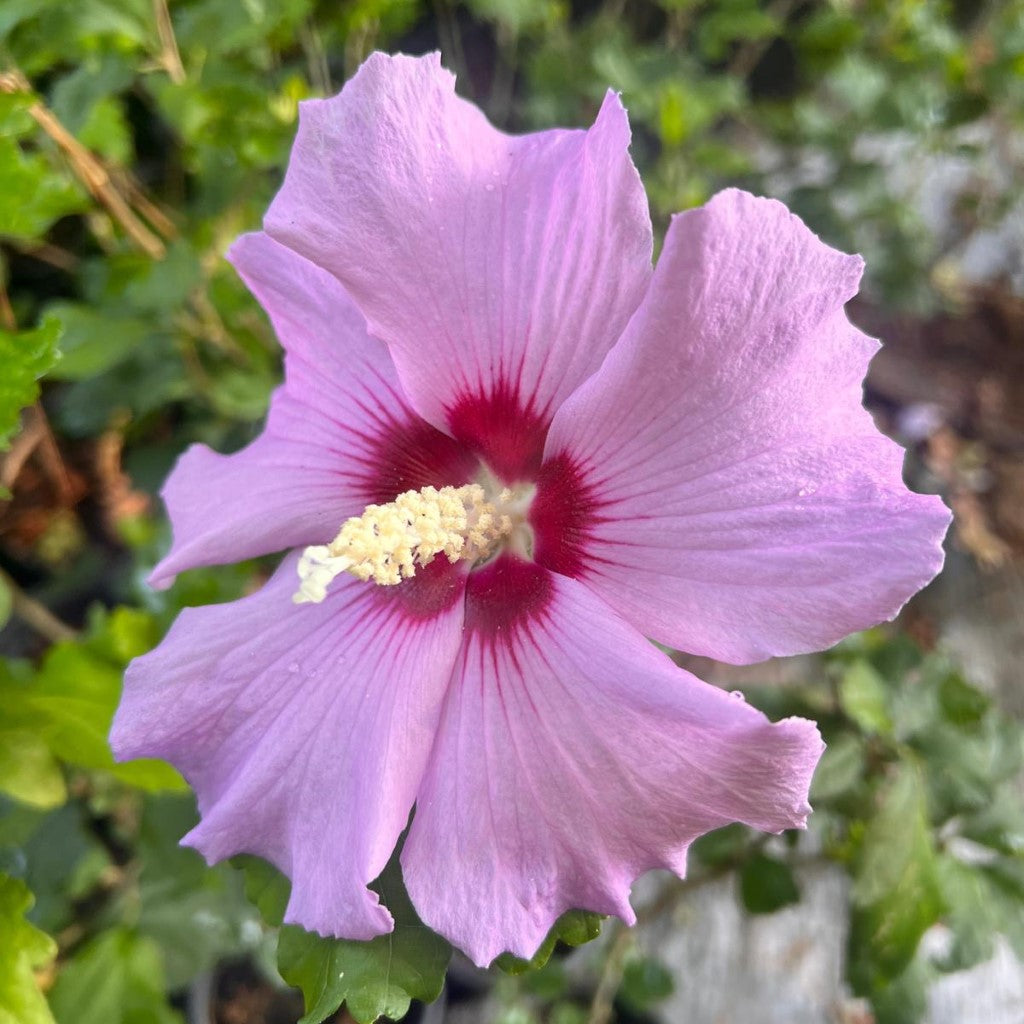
{"type": "Point", "coordinates": [138, 139]}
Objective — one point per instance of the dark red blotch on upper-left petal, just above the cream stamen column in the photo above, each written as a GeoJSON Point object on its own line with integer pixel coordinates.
{"type": "Point", "coordinates": [411, 454]}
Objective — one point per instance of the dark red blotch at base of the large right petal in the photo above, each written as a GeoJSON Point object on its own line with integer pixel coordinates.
{"type": "Point", "coordinates": [565, 510]}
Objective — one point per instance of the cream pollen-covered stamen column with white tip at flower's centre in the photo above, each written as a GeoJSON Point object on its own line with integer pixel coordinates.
{"type": "Point", "coordinates": [388, 542]}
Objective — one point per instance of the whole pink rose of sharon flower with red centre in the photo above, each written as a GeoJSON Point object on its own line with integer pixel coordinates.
{"type": "Point", "coordinates": [566, 454]}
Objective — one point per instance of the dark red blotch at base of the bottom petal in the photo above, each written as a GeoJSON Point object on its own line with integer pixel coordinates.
{"type": "Point", "coordinates": [506, 596]}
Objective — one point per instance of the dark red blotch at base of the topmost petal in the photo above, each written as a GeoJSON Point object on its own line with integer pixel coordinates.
{"type": "Point", "coordinates": [503, 431]}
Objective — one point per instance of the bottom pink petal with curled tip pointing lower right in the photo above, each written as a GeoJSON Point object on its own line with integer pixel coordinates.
{"type": "Point", "coordinates": [572, 757]}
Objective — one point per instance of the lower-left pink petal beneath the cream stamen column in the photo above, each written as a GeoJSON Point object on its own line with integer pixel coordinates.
{"type": "Point", "coordinates": [305, 731]}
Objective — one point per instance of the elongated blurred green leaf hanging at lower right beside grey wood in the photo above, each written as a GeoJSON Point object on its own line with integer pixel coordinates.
{"type": "Point", "coordinates": [897, 893]}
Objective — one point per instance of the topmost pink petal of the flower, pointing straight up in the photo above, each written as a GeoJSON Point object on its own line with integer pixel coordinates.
{"type": "Point", "coordinates": [494, 267]}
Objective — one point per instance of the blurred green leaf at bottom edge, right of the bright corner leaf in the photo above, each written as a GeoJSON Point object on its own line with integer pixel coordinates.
{"type": "Point", "coordinates": [117, 978]}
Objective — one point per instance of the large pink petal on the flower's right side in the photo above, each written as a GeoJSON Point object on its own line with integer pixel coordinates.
{"type": "Point", "coordinates": [718, 482]}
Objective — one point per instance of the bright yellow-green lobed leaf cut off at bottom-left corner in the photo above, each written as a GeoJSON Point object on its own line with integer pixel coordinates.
{"type": "Point", "coordinates": [23, 951]}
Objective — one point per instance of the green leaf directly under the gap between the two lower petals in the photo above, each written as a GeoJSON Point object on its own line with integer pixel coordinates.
{"type": "Point", "coordinates": [373, 979]}
